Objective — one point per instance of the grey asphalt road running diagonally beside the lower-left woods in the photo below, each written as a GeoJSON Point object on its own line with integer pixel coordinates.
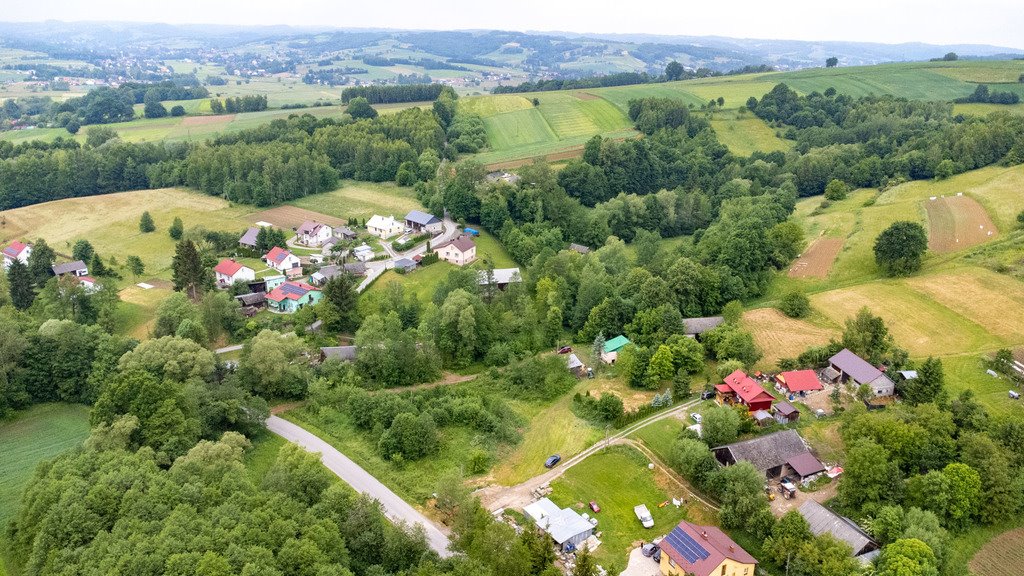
{"type": "Point", "coordinates": [395, 508]}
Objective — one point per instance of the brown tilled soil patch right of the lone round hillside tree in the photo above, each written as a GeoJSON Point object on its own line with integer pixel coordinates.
{"type": "Point", "coordinates": [956, 223]}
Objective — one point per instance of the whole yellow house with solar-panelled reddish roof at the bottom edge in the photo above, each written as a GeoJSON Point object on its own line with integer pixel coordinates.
{"type": "Point", "coordinates": [704, 551]}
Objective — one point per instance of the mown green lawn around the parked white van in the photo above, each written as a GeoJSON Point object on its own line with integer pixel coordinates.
{"type": "Point", "coordinates": [618, 480]}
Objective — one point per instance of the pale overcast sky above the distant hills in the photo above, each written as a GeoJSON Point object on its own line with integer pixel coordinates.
{"type": "Point", "coordinates": [983, 22]}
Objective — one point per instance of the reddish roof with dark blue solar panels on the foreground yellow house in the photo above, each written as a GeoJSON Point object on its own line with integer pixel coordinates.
{"type": "Point", "coordinates": [701, 550]}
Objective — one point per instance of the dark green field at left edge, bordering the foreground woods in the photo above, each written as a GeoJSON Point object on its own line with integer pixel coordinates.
{"type": "Point", "coordinates": [32, 436]}
